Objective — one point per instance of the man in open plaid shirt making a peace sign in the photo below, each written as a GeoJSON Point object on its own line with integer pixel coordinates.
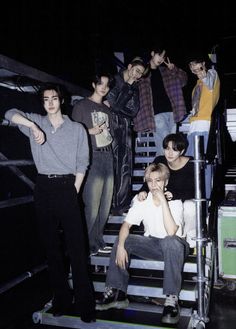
{"type": "Point", "coordinates": [162, 102]}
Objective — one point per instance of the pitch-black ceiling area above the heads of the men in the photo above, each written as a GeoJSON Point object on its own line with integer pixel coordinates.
{"type": "Point", "coordinates": [72, 39]}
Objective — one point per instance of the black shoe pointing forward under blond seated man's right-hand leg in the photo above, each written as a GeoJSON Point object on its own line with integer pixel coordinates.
{"type": "Point", "coordinates": [170, 313]}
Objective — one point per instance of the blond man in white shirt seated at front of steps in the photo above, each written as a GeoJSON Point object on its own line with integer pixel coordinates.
{"type": "Point", "coordinates": [162, 221]}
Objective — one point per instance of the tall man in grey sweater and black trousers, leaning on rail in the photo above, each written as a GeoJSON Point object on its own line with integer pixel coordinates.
{"type": "Point", "coordinates": [60, 151]}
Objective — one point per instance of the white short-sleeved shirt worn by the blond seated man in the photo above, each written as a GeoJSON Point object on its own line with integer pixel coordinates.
{"type": "Point", "coordinates": [152, 216]}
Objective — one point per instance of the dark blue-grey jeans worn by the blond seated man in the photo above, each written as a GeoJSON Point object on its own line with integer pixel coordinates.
{"type": "Point", "coordinates": [171, 249]}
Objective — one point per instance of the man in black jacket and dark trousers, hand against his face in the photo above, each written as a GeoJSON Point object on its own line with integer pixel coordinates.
{"type": "Point", "coordinates": [123, 99]}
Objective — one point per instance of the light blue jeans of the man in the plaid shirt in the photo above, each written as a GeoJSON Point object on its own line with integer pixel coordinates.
{"type": "Point", "coordinates": [165, 125]}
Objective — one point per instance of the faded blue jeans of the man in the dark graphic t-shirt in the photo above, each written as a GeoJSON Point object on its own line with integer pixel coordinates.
{"type": "Point", "coordinates": [97, 197]}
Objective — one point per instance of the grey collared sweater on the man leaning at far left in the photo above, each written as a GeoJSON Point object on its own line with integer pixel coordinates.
{"type": "Point", "coordinates": [65, 150]}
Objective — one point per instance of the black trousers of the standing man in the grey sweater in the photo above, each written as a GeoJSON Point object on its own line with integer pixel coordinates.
{"type": "Point", "coordinates": [57, 208]}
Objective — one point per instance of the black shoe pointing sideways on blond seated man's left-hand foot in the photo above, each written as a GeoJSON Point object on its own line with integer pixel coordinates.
{"type": "Point", "coordinates": [112, 298]}
